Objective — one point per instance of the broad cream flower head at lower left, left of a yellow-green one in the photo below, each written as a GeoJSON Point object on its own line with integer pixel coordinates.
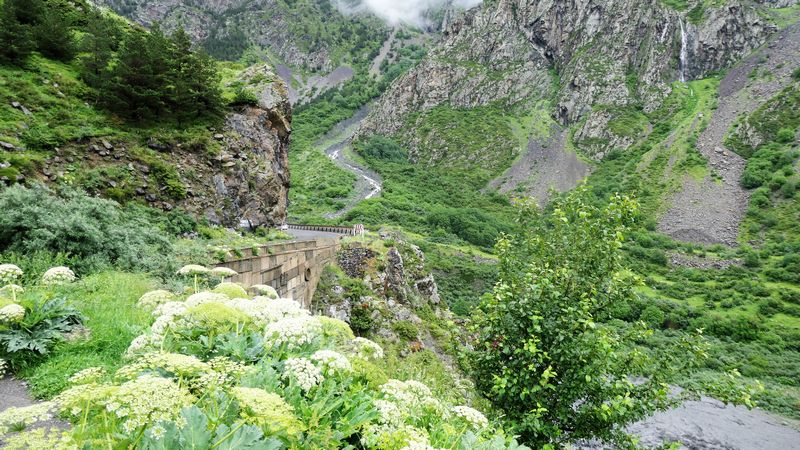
{"type": "Point", "coordinates": [148, 399]}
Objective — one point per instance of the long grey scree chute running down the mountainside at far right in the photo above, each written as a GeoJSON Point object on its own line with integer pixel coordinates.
{"type": "Point", "coordinates": [709, 211]}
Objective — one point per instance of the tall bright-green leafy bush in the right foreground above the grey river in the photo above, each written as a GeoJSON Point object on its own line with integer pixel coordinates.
{"type": "Point", "coordinates": [538, 341]}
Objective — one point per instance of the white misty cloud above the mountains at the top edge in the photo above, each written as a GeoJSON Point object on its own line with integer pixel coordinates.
{"type": "Point", "coordinates": [397, 12]}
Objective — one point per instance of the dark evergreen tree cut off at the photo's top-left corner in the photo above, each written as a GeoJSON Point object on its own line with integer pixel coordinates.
{"type": "Point", "coordinates": [16, 37]}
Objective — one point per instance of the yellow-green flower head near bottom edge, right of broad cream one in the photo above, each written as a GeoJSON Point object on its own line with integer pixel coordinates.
{"type": "Point", "coordinates": [267, 410]}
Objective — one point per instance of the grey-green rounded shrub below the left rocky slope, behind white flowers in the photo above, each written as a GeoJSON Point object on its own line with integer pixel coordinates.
{"type": "Point", "coordinates": [97, 232]}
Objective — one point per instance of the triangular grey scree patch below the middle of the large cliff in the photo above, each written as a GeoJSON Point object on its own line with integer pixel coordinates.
{"type": "Point", "coordinates": [545, 165]}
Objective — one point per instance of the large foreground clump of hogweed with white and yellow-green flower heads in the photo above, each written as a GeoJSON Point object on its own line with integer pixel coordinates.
{"type": "Point", "coordinates": [253, 373]}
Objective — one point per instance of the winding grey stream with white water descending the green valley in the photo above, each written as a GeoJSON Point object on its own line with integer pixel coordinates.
{"type": "Point", "coordinates": [337, 146]}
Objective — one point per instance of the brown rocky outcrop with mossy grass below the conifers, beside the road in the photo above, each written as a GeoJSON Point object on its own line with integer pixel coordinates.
{"type": "Point", "coordinates": [234, 176]}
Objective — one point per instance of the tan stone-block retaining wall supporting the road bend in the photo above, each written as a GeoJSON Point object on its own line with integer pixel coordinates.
{"type": "Point", "coordinates": [292, 268]}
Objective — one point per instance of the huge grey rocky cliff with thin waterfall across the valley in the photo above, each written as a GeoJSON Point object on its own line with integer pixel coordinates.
{"type": "Point", "coordinates": [595, 59]}
